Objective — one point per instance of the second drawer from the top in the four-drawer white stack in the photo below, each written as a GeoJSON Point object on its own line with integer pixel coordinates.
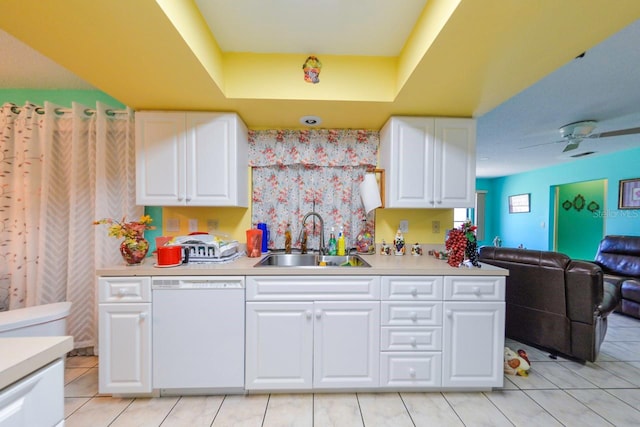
{"type": "Point", "coordinates": [401, 313]}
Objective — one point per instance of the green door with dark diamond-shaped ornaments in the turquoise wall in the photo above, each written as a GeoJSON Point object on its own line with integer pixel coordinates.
{"type": "Point", "coordinates": [579, 224]}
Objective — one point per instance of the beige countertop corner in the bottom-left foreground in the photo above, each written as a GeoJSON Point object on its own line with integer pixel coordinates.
{"type": "Point", "coordinates": [21, 356]}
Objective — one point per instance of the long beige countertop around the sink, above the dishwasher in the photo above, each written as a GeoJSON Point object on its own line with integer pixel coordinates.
{"type": "Point", "coordinates": [380, 265]}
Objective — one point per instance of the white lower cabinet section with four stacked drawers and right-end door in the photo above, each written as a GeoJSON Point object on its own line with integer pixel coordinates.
{"type": "Point", "coordinates": [442, 332]}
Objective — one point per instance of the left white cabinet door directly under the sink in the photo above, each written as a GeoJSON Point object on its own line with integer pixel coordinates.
{"type": "Point", "coordinates": [279, 345]}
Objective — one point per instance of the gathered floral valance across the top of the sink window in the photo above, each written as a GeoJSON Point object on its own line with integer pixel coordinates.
{"type": "Point", "coordinates": [319, 147]}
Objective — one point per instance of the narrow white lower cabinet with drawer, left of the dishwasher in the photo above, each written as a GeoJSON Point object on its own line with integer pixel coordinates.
{"type": "Point", "coordinates": [124, 312]}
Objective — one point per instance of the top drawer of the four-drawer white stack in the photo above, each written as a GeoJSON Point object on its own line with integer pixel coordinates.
{"type": "Point", "coordinates": [412, 288]}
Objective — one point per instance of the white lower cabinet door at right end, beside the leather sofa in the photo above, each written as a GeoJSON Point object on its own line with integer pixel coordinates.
{"type": "Point", "coordinates": [473, 344]}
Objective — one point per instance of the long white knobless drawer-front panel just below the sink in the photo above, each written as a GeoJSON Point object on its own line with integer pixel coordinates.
{"type": "Point", "coordinates": [313, 288]}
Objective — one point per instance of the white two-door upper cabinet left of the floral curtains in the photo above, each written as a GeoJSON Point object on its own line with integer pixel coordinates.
{"type": "Point", "coordinates": [191, 159]}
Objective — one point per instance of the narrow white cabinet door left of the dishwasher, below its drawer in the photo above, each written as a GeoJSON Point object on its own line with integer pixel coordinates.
{"type": "Point", "coordinates": [125, 348]}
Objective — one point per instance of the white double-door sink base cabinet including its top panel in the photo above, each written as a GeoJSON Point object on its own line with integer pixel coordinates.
{"type": "Point", "coordinates": [303, 345]}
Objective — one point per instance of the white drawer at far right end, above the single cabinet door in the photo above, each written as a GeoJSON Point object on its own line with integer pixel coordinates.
{"type": "Point", "coordinates": [474, 288]}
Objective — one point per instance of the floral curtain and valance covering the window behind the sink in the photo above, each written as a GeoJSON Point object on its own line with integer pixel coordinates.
{"type": "Point", "coordinates": [299, 171]}
